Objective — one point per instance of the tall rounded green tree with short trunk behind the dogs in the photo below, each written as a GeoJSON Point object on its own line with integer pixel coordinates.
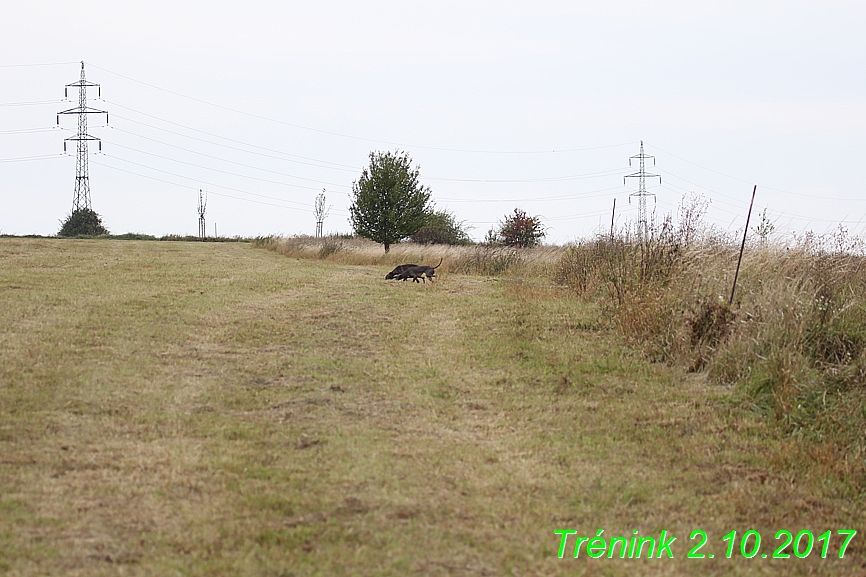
{"type": "Point", "coordinates": [389, 204]}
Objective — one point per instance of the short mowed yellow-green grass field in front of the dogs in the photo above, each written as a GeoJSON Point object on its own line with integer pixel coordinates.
{"type": "Point", "coordinates": [217, 409]}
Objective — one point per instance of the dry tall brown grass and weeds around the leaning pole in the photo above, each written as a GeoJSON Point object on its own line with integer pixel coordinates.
{"type": "Point", "coordinates": [793, 345]}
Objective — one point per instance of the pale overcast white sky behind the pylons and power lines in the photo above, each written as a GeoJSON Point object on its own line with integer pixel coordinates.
{"type": "Point", "coordinates": [263, 104]}
